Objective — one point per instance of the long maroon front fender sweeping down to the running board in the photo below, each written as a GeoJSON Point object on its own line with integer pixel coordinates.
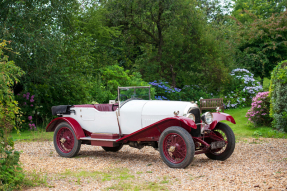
{"type": "Point", "coordinates": [153, 131]}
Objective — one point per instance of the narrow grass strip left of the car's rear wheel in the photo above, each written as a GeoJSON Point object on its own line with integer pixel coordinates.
{"type": "Point", "coordinates": [39, 135]}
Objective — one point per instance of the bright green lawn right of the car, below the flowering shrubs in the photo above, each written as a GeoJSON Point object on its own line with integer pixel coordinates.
{"type": "Point", "coordinates": [243, 128]}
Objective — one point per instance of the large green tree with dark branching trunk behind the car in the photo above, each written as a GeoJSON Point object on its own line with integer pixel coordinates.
{"type": "Point", "coordinates": [171, 41]}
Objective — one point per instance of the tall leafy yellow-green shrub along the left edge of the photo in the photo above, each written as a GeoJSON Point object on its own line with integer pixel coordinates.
{"type": "Point", "coordinates": [10, 171]}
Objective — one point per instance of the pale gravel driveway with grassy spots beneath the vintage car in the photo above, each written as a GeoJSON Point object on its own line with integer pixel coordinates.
{"type": "Point", "coordinates": [255, 165]}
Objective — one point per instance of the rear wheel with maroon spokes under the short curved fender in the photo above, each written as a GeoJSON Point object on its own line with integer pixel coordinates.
{"type": "Point", "coordinates": [74, 145]}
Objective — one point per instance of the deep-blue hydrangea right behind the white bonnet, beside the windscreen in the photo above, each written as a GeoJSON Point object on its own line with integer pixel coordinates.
{"type": "Point", "coordinates": [165, 92]}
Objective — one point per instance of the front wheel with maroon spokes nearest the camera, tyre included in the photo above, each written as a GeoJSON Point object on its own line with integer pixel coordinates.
{"type": "Point", "coordinates": [181, 137]}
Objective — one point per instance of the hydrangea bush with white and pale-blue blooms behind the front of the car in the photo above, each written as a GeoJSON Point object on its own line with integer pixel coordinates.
{"type": "Point", "coordinates": [244, 88]}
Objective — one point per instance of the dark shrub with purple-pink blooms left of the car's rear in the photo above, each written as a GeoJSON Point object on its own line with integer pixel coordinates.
{"type": "Point", "coordinates": [26, 102]}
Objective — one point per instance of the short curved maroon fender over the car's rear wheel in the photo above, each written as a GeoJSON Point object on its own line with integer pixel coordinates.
{"type": "Point", "coordinates": [72, 122]}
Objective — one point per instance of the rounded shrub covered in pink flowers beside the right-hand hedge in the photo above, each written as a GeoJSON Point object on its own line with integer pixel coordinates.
{"type": "Point", "coordinates": [260, 107]}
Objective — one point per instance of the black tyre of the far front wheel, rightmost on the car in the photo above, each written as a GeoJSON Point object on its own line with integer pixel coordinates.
{"type": "Point", "coordinates": [225, 152]}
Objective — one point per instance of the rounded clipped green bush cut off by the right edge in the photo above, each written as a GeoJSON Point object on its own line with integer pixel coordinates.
{"type": "Point", "coordinates": [278, 94]}
